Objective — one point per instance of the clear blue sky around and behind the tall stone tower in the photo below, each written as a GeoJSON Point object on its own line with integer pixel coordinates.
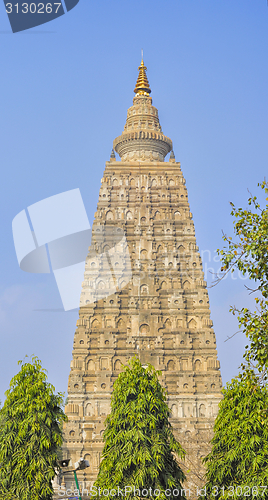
{"type": "Point", "coordinates": [65, 89]}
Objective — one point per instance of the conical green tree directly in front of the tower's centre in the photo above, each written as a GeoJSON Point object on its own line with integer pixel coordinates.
{"type": "Point", "coordinates": [139, 443]}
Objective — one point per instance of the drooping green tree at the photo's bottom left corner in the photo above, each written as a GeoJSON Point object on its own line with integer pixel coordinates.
{"type": "Point", "coordinates": [30, 435]}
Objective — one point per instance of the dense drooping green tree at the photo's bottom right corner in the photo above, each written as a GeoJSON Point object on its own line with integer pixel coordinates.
{"type": "Point", "coordinates": [237, 466]}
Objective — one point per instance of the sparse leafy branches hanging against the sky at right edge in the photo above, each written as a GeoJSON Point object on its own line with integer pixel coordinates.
{"type": "Point", "coordinates": [248, 252]}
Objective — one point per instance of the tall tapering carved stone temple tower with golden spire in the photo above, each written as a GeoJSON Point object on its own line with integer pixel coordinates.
{"type": "Point", "coordinates": [143, 294]}
